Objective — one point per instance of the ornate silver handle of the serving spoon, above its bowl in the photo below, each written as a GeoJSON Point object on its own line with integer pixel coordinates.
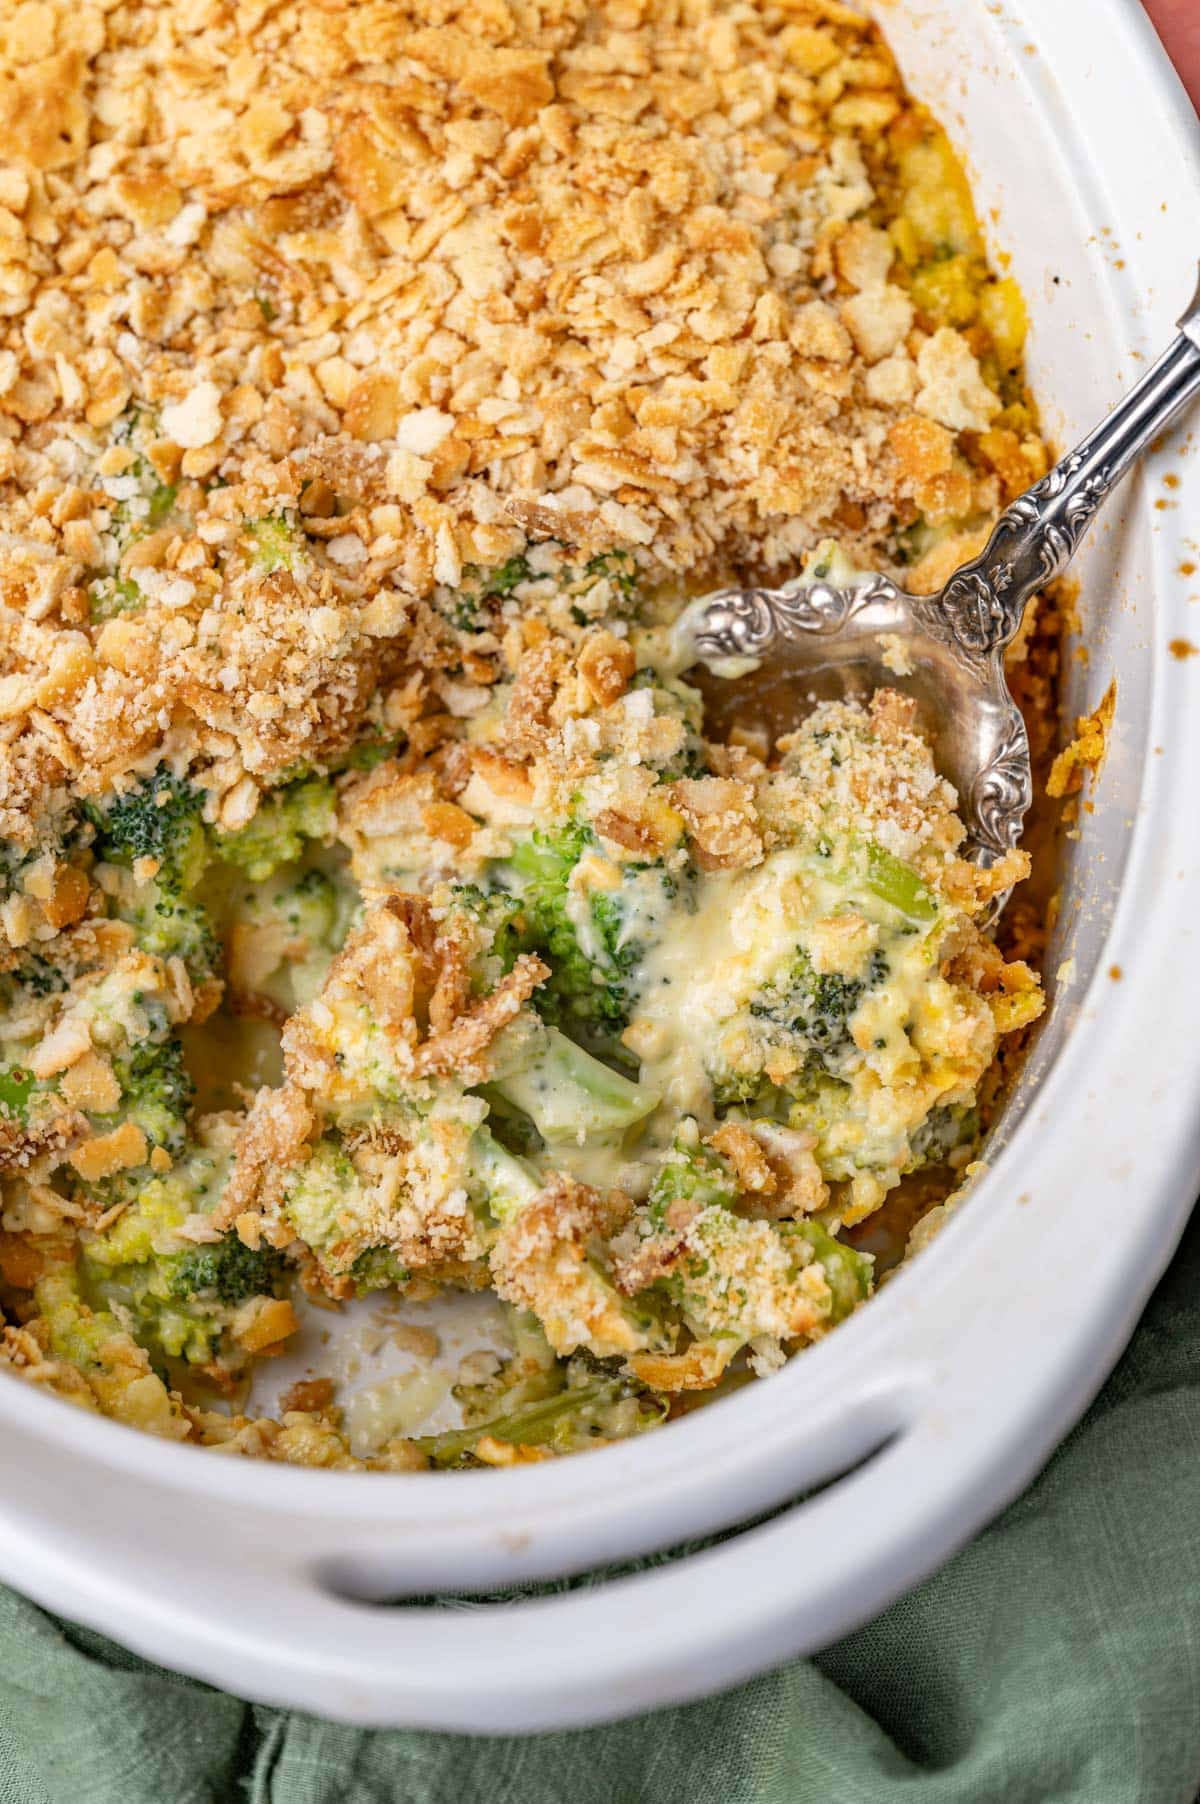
{"type": "Point", "coordinates": [1040, 533]}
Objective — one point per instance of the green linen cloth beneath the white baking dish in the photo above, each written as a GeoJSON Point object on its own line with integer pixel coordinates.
{"type": "Point", "coordinates": [1057, 1661]}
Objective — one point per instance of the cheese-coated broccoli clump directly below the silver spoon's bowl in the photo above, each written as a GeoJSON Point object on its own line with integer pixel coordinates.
{"type": "Point", "coordinates": [808, 989]}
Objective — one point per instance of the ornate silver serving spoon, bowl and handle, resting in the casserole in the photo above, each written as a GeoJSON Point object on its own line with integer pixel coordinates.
{"type": "Point", "coordinates": [950, 647]}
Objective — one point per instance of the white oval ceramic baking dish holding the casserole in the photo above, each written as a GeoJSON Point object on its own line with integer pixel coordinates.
{"type": "Point", "coordinates": [936, 1404]}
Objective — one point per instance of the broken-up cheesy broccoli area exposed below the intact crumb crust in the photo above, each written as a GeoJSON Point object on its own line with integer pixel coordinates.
{"type": "Point", "coordinates": [622, 1024]}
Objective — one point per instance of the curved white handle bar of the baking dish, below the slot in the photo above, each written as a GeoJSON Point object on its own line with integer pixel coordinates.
{"type": "Point", "coordinates": [582, 1652]}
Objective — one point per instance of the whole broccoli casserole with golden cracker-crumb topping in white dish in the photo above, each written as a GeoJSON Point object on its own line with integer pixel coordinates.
{"type": "Point", "coordinates": [378, 383]}
